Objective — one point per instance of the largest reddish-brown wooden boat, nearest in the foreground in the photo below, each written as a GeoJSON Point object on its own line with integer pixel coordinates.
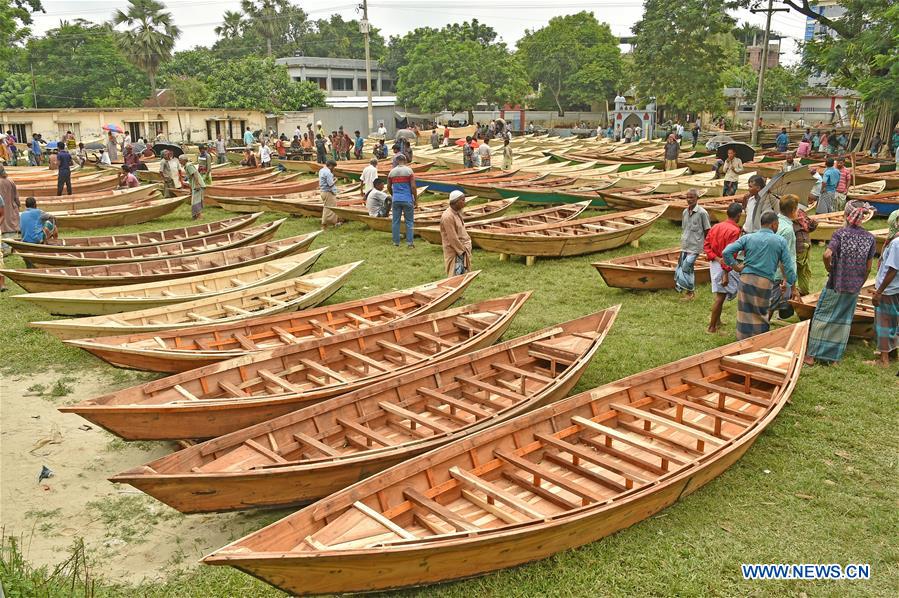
{"type": "Point", "coordinates": [559, 477]}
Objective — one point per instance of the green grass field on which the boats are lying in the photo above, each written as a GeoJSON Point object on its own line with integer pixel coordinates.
{"type": "Point", "coordinates": [819, 486]}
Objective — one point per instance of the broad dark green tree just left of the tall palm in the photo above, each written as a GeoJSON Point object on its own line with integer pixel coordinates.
{"type": "Point", "coordinates": [79, 64]}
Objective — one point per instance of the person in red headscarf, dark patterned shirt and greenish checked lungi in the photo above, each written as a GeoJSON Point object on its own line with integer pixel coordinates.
{"type": "Point", "coordinates": [848, 260]}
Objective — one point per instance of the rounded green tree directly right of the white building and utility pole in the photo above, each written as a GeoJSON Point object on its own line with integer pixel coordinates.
{"type": "Point", "coordinates": [458, 67]}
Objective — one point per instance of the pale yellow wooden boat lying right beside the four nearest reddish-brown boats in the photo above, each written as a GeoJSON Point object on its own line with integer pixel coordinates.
{"type": "Point", "coordinates": [242, 304]}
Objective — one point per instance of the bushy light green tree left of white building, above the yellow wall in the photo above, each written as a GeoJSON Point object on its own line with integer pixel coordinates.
{"type": "Point", "coordinates": [254, 83]}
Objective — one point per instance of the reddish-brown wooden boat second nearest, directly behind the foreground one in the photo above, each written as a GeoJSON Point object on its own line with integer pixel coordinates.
{"type": "Point", "coordinates": [399, 418]}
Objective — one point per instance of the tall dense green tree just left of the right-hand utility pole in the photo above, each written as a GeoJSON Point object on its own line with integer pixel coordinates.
{"type": "Point", "coordinates": [681, 47]}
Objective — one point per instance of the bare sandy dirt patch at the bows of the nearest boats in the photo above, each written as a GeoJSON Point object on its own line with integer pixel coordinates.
{"type": "Point", "coordinates": [133, 536]}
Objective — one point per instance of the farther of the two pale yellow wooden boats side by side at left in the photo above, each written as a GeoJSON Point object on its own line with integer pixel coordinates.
{"type": "Point", "coordinates": [131, 297]}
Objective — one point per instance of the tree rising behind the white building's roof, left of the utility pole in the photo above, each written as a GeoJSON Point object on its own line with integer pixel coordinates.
{"type": "Point", "coordinates": [336, 38]}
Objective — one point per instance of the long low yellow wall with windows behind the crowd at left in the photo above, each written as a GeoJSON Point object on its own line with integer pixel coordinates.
{"type": "Point", "coordinates": [181, 124]}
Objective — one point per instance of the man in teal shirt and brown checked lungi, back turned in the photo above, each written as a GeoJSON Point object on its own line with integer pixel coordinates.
{"type": "Point", "coordinates": [764, 252]}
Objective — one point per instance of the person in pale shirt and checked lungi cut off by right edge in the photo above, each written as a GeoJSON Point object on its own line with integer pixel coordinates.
{"type": "Point", "coordinates": [886, 295]}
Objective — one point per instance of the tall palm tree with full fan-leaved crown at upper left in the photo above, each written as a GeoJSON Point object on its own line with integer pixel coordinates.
{"type": "Point", "coordinates": [150, 37]}
